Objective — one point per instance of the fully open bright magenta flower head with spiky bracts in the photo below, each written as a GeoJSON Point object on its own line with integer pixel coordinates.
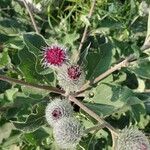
{"type": "Point", "coordinates": [54, 56]}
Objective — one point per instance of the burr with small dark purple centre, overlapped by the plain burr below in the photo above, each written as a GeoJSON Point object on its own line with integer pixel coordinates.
{"type": "Point", "coordinates": [58, 109]}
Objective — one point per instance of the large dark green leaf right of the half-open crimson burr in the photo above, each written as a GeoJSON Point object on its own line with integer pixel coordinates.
{"type": "Point", "coordinates": [99, 60]}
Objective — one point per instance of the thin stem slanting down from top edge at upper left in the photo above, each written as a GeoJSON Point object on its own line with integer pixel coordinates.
{"type": "Point", "coordinates": [31, 16]}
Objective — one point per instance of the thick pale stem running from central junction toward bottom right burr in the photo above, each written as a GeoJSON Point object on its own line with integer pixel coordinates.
{"type": "Point", "coordinates": [93, 114]}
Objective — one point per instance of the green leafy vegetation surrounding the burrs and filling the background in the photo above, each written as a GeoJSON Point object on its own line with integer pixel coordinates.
{"type": "Point", "coordinates": [117, 42]}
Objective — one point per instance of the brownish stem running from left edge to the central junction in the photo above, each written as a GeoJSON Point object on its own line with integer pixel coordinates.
{"type": "Point", "coordinates": [20, 82]}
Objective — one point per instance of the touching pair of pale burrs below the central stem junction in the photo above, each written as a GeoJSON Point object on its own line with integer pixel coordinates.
{"type": "Point", "coordinates": [67, 129]}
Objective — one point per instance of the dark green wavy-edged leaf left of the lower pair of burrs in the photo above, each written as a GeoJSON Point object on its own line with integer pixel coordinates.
{"type": "Point", "coordinates": [33, 122]}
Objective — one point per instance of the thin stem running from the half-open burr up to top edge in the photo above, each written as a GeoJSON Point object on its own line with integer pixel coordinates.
{"type": "Point", "coordinates": [85, 30]}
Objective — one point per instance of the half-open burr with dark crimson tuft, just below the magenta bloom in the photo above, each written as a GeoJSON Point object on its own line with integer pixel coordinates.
{"type": "Point", "coordinates": [71, 77]}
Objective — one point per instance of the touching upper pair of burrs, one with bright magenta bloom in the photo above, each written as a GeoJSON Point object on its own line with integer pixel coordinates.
{"type": "Point", "coordinates": [70, 76]}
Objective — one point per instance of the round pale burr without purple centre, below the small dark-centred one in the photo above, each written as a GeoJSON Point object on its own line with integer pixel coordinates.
{"type": "Point", "coordinates": [68, 132]}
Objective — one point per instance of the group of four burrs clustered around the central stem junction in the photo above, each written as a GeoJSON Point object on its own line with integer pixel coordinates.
{"type": "Point", "coordinates": [59, 113]}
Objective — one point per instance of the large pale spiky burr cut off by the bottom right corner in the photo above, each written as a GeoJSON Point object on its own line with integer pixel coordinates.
{"type": "Point", "coordinates": [132, 139]}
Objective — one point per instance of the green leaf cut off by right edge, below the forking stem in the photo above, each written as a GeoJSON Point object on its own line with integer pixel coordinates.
{"type": "Point", "coordinates": [141, 68]}
